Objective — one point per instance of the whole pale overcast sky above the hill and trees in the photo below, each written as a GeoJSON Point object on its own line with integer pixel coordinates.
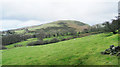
{"type": "Point", "coordinates": [21, 13]}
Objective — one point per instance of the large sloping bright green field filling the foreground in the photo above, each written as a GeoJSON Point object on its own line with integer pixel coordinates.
{"type": "Point", "coordinates": [79, 51]}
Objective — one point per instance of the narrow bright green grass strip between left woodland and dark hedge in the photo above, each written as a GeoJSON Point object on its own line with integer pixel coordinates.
{"type": "Point", "coordinates": [24, 43]}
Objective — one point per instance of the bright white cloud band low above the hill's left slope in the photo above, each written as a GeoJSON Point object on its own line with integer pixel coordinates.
{"type": "Point", "coordinates": [14, 24]}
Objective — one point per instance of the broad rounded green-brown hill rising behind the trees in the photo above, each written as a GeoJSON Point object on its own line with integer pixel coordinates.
{"type": "Point", "coordinates": [57, 26]}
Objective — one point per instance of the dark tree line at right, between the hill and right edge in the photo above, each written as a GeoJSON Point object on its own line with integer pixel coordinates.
{"type": "Point", "coordinates": [113, 26]}
